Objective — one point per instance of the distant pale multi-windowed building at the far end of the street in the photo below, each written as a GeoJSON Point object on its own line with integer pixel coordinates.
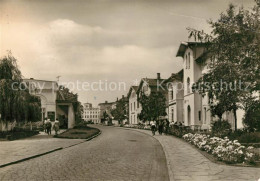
{"type": "Point", "coordinates": [91, 113]}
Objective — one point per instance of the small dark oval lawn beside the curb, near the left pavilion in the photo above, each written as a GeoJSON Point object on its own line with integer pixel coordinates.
{"type": "Point", "coordinates": [79, 133]}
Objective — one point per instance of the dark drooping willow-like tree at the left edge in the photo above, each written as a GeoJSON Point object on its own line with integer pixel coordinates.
{"type": "Point", "coordinates": [16, 103]}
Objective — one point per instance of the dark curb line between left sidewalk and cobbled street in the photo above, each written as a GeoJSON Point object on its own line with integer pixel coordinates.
{"type": "Point", "coordinates": [51, 151]}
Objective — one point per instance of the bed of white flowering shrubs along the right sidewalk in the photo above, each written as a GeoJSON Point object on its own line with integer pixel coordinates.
{"type": "Point", "coordinates": [224, 149]}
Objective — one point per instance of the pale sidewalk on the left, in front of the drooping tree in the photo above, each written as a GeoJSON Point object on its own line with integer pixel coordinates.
{"type": "Point", "coordinates": [11, 151]}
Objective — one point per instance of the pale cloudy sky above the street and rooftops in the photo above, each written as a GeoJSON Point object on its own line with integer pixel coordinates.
{"type": "Point", "coordinates": [99, 48]}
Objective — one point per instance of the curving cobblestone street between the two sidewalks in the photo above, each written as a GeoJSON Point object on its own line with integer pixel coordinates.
{"type": "Point", "coordinates": [116, 154]}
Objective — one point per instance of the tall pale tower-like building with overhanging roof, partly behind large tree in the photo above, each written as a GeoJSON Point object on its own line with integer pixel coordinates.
{"type": "Point", "coordinates": [195, 106]}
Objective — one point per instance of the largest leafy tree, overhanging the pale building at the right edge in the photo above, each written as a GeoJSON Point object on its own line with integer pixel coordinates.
{"type": "Point", "coordinates": [233, 46]}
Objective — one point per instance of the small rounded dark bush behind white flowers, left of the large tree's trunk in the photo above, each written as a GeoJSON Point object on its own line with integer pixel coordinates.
{"type": "Point", "coordinates": [221, 128]}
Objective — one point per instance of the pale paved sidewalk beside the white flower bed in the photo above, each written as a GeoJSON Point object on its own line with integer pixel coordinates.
{"type": "Point", "coordinates": [187, 163]}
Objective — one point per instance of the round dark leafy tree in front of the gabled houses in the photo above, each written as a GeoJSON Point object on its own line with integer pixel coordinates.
{"type": "Point", "coordinates": [153, 106]}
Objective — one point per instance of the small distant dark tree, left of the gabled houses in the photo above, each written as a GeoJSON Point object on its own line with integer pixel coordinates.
{"type": "Point", "coordinates": [120, 112]}
